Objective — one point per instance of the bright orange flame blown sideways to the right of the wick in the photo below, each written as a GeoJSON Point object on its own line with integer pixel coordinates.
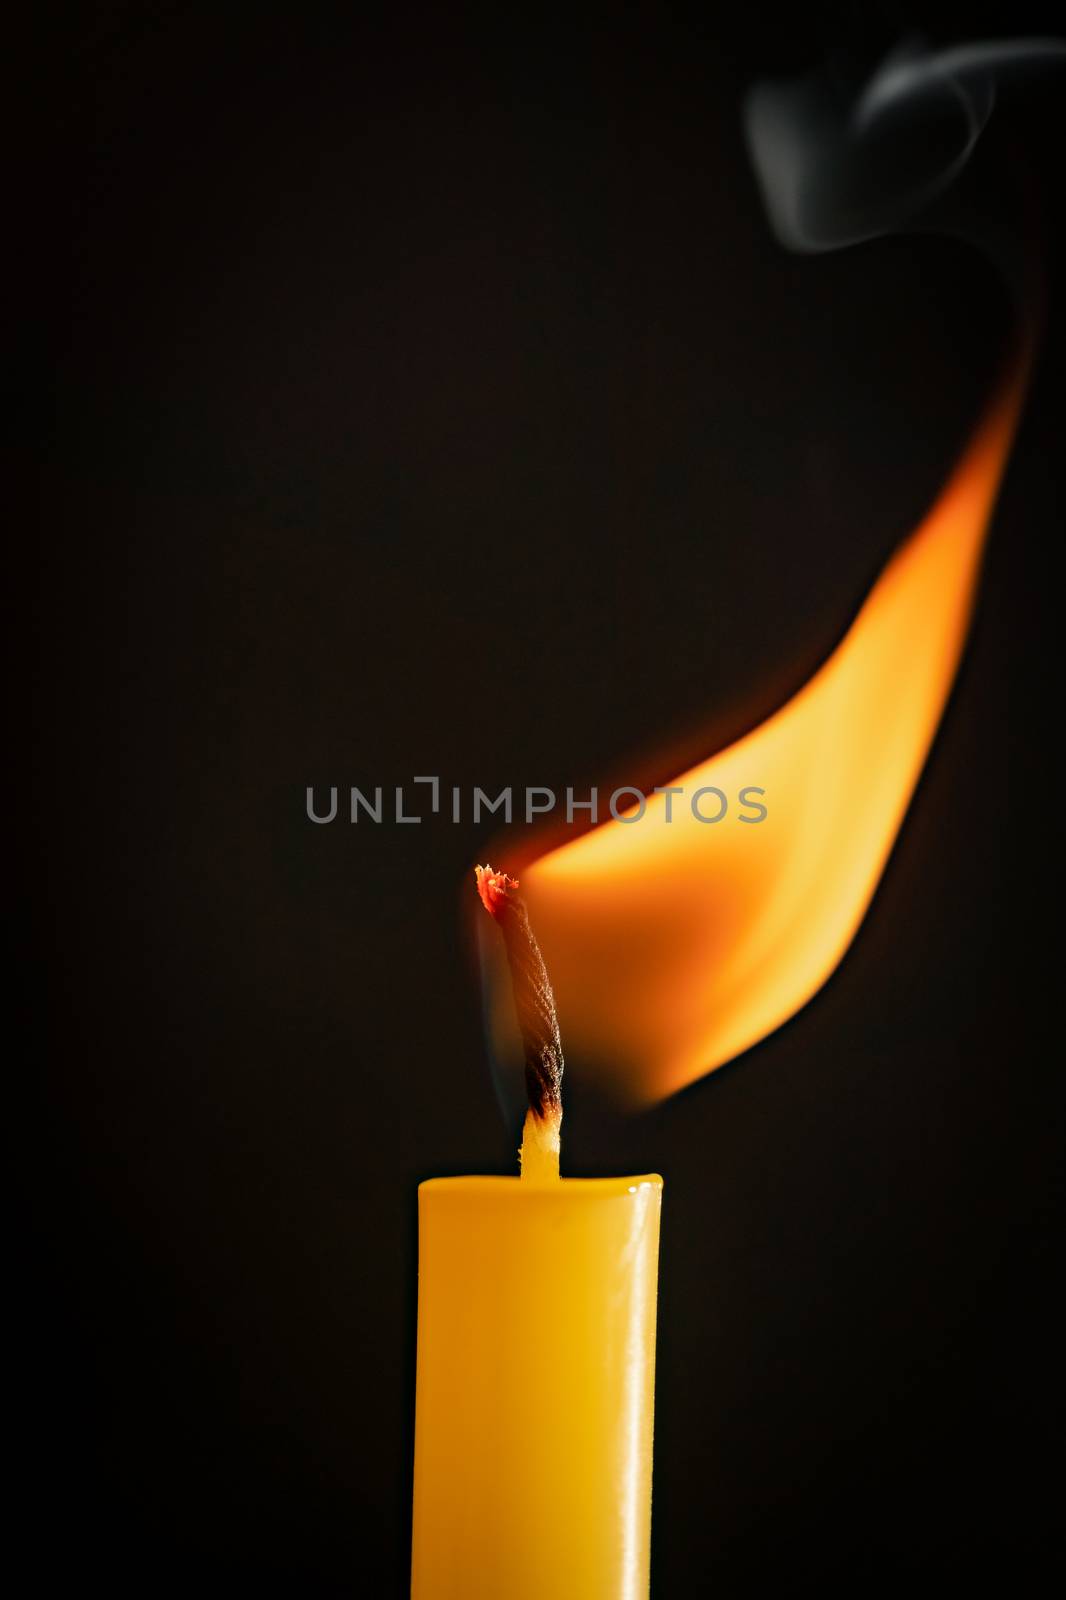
{"type": "Point", "coordinates": [676, 946]}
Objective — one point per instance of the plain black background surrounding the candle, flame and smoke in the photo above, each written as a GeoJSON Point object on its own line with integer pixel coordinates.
{"type": "Point", "coordinates": [431, 398]}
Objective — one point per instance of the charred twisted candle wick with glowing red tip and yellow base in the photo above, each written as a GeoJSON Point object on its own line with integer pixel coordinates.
{"type": "Point", "coordinates": [539, 1026]}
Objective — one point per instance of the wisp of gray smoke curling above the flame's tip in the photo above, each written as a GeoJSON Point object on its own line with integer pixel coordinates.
{"type": "Point", "coordinates": [840, 162]}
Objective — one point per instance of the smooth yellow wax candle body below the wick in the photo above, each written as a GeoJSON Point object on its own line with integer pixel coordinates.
{"type": "Point", "coordinates": [535, 1388]}
